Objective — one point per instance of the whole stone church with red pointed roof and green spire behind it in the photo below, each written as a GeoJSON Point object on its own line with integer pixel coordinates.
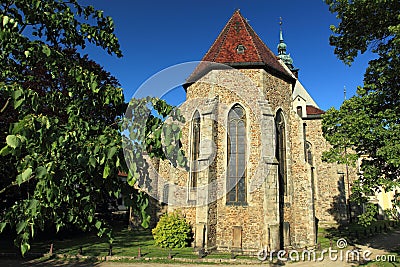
{"type": "Point", "coordinates": [254, 142]}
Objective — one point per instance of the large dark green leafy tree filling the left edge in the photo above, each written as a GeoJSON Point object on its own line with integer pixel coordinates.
{"type": "Point", "coordinates": [60, 142]}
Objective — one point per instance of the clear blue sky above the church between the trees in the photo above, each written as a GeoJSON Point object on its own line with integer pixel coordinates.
{"type": "Point", "coordinates": [155, 35]}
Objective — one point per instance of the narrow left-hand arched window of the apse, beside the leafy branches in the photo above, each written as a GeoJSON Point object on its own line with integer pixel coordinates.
{"type": "Point", "coordinates": [195, 149]}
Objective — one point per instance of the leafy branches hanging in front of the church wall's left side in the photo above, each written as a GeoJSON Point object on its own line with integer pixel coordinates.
{"type": "Point", "coordinates": [150, 127]}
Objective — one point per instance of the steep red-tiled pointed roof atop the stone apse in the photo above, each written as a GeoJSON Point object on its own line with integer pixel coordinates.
{"type": "Point", "coordinates": [238, 32]}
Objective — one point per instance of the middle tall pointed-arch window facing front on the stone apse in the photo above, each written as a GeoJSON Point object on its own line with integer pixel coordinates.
{"type": "Point", "coordinates": [236, 178]}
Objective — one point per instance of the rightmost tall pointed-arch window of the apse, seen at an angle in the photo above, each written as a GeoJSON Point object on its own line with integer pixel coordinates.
{"type": "Point", "coordinates": [281, 151]}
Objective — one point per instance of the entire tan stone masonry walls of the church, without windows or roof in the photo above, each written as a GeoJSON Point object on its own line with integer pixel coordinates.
{"type": "Point", "coordinates": [312, 188]}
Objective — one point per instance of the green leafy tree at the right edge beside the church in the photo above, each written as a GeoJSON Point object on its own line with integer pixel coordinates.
{"type": "Point", "coordinates": [368, 124]}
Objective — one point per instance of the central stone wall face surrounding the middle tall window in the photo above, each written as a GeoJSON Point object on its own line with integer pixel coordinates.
{"type": "Point", "coordinates": [247, 218]}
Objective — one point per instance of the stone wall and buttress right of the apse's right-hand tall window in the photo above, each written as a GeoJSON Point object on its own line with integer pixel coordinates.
{"type": "Point", "coordinates": [298, 206]}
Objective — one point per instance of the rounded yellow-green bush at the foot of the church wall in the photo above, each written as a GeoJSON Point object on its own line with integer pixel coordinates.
{"type": "Point", "coordinates": [172, 231]}
